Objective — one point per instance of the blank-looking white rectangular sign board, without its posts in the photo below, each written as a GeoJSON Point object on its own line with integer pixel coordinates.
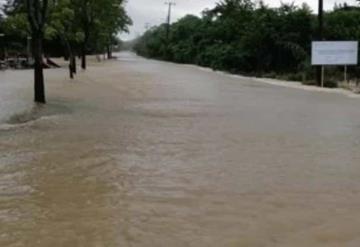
{"type": "Point", "coordinates": [334, 53]}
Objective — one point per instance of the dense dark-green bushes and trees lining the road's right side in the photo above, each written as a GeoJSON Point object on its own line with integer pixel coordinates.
{"type": "Point", "coordinates": [243, 37]}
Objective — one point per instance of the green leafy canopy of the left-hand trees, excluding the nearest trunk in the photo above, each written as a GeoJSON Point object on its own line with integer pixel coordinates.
{"type": "Point", "coordinates": [83, 24]}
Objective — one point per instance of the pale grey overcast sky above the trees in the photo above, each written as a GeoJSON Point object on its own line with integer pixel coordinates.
{"type": "Point", "coordinates": [154, 11]}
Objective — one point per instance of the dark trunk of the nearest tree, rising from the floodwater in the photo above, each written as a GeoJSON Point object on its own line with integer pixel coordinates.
{"type": "Point", "coordinates": [39, 87]}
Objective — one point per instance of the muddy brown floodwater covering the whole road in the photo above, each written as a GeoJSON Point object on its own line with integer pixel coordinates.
{"type": "Point", "coordinates": [142, 153]}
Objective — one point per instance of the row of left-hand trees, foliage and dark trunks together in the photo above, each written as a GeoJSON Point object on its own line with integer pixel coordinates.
{"type": "Point", "coordinates": [61, 27]}
